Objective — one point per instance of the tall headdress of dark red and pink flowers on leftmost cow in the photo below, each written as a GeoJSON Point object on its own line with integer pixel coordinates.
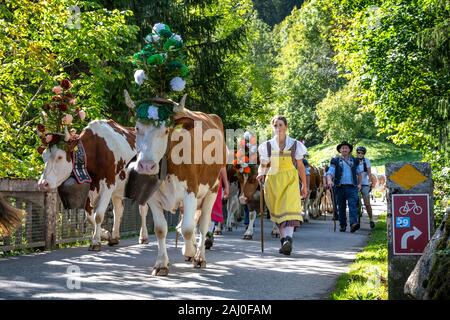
{"type": "Point", "coordinates": [58, 115]}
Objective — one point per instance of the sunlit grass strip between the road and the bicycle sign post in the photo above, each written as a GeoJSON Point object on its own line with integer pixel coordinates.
{"type": "Point", "coordinates": [367, 277]}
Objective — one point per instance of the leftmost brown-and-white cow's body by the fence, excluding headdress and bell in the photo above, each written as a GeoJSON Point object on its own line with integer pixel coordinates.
{"type": "Point", "coordinates": [108, 147]}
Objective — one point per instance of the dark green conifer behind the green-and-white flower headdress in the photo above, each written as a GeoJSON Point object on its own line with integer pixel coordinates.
{"type": "Point", "coordinates": [214, 32]}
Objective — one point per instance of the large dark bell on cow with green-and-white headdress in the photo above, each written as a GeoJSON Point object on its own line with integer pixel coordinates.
{"type": "Point", "coordinates": [140, 187]}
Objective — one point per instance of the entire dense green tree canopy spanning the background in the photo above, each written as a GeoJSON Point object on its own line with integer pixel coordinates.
{"type": "Point", "coordinates": [337, 69]}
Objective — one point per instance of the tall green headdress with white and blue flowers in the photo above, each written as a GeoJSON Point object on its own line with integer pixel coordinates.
{"type": "Point", "coordinates": [161, 72]}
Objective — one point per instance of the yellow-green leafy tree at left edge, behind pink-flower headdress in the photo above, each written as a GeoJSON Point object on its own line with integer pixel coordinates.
{"type": "Point", "coordinates": [39, 45]}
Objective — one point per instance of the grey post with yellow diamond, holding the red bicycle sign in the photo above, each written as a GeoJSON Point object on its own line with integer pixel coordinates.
{"type": "Point", "coordinates": [412, 179]}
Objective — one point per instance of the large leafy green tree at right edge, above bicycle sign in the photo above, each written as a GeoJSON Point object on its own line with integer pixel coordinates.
{"type": "Point", "coordinates": [398, 55]}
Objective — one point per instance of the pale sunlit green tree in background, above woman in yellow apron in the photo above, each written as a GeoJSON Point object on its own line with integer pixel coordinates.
{"type": "Point", "coordinates": [305, 70]}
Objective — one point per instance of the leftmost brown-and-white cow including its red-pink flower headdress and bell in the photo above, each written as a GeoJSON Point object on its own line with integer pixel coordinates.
{"type": "Point", "coordinates": [87, 168]}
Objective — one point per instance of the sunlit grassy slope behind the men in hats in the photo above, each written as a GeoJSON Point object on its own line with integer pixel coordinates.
{"type": "Point", "coordinates": [379, 153]}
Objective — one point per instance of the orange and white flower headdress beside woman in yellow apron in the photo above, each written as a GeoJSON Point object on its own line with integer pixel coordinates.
{"type": "Point", "coordinates": [246, 156]}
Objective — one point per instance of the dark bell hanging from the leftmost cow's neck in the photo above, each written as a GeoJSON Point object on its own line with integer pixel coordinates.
{"type": "Point", "coordinates": [73, 194]}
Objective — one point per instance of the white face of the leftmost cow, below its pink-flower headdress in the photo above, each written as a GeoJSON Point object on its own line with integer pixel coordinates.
{"type": "Point", "coordinates": [57, 169]}
